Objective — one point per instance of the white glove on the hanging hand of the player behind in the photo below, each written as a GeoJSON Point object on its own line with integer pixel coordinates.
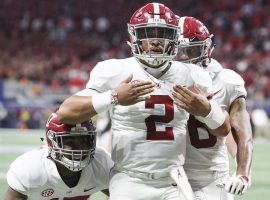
{"type": "Point", "coordinates": [236, 185]}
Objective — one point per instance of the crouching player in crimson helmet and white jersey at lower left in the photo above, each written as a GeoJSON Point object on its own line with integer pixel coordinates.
{"type": "Point", "coordinates": [68, 167]}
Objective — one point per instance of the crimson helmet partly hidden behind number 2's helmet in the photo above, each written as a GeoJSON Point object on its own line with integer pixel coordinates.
{"type": "Point", "coordinates": [195, 42]}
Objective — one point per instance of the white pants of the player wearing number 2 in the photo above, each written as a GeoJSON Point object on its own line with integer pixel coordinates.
{"type": "Point", "coordinates": [126, 187]}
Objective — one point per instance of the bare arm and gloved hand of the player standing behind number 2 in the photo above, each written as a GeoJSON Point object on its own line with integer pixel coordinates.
{"type": "Point", "coordinates": [241, 130]}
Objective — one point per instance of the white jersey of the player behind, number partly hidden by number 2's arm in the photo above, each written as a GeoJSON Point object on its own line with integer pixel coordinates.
{"type": "Point", "coordinates": [205, 152]}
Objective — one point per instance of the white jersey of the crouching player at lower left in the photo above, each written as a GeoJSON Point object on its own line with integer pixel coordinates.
{"type": "Point", "coordinates": [35, 175]}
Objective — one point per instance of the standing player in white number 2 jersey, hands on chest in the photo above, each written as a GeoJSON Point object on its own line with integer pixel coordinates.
{"type": "Point", "coordinates": [149, 129]}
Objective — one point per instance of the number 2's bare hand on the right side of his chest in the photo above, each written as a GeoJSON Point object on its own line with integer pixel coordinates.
{"type": "Point", "coordinates": [192, 100]}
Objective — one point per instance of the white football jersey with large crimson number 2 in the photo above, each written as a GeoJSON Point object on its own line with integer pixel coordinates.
{"type": "Point", "coordinates": [149, 136]}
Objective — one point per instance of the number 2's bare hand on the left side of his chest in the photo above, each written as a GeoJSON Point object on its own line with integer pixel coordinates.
{"type": "Point", "coordinates": [130, 92]}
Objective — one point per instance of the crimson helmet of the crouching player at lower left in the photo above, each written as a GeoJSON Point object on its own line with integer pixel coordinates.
{"type": "Point", "coordinates": [71, 145]}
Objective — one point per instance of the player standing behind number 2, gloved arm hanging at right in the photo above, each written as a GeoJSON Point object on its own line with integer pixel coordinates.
{"type": "Point", "coordinates": [206, 160]}
